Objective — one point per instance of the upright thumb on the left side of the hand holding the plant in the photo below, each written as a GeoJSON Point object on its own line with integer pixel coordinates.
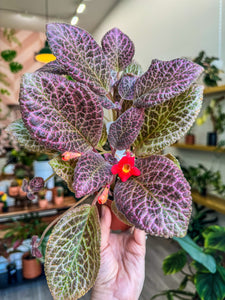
{"type": "Point", "coordinates": [105, 224]}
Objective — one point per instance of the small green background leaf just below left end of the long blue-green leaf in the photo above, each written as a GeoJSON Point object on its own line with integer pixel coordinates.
{"type": "Point", "coordinates": [174, 262]}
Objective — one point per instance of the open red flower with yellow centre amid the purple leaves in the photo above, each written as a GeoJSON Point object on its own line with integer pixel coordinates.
{"type": "Point", "coordinates": [125, 167]}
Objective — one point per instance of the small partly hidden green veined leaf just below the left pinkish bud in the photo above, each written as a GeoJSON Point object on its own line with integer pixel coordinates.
{"type": "Point", "coordinates": [64, 169]}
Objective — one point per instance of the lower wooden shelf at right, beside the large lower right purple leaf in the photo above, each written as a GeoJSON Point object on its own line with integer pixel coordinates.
{"type": "Point", "coordinates": [210, 201]}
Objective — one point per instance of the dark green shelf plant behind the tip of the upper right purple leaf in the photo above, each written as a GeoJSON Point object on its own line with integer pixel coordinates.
{"type": "Point", "coordinates": [211, 72]}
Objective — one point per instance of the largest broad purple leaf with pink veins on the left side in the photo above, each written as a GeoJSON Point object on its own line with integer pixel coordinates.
{"type": "Point", "coordinates": [60, 114]}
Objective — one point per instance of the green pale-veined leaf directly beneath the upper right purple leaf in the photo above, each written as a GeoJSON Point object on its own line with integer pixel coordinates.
{"type": "Point", "coordinates": [164, 124]}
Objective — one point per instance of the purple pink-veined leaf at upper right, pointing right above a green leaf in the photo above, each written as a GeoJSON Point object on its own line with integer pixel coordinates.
{"type": "Point", "coordinates": [165, 80]}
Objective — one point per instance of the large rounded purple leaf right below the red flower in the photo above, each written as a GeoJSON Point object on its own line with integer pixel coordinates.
{"type": "Point", "coordinates": [159, 200]}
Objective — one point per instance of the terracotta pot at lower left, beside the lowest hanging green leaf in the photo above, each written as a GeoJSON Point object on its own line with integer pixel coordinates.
{"type": "Point", "coordinates": [31, 267]}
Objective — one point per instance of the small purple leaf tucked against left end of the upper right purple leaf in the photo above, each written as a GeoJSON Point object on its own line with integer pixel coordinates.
{"type": "Point", "coordinates": [126, 87]}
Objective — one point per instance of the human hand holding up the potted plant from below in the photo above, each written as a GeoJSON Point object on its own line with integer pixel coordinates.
{"type": "Point", "coordinates": [122, 269]}
